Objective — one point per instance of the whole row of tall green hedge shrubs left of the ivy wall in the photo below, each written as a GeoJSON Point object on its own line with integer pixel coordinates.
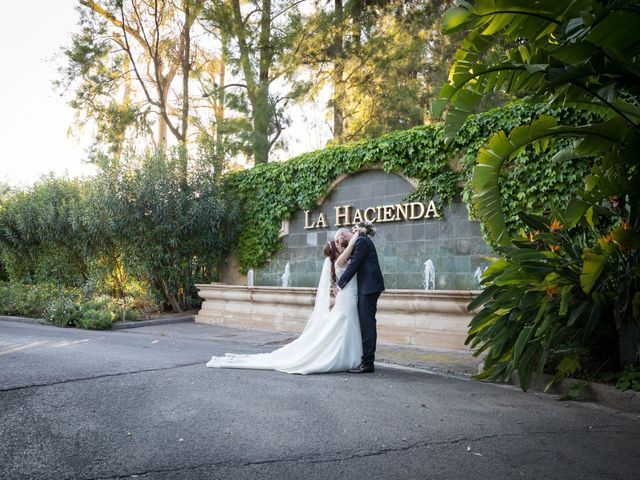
{"type": "Point", "coordinates": [145, 225]}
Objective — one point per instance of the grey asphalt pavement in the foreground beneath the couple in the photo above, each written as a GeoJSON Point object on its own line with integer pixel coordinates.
{"type": "Point", "coordinates": [119, 404]}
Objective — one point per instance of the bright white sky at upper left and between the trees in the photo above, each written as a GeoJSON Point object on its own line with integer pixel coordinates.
{"type": "Point", "coordinates": [35, 119]}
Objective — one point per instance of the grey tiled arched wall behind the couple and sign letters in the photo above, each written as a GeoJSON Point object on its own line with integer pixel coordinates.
{"type": "Point", "coordinates": [452, 242]}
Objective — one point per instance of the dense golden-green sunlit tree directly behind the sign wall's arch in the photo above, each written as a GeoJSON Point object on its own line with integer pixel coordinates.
{"type": "Point", "coordinates": [382, 59]}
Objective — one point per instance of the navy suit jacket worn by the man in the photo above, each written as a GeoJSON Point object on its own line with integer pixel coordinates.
{"type": "Point", "coordinates": [364, 262]}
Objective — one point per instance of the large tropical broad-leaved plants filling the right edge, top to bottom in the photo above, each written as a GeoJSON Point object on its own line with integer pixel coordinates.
{"type": "Point", "coordinates": [578, 269]}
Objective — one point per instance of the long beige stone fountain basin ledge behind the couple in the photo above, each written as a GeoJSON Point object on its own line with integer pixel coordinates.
{"type": "Point", "coordinates": [431, 319]}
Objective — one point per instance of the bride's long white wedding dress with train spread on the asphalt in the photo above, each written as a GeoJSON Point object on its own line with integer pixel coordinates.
{"type": "Point", "coordinates": [330, 341]}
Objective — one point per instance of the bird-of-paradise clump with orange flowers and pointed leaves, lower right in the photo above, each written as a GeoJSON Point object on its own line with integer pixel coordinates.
{"type": "Point", "coordinates": [537, 314]}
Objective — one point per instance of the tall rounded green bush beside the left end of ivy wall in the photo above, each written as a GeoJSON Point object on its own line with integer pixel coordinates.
{"type": "Point", "coordinates": [171, 221]}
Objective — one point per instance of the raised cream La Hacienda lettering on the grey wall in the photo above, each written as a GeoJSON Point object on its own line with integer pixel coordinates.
{"type": "Point", "coordinates": [347, 215]}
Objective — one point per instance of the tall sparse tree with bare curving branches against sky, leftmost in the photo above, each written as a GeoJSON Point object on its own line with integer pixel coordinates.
{"type": "Point", "coordinates": [131, 65]}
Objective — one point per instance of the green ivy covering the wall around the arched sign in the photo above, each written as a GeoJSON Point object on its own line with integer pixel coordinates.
{"type": "Point", "coordinates": [270, 193]}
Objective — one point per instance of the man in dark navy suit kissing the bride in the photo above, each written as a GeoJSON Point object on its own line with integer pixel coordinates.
{"type": "Point", "coordinates": [364, 262]}
